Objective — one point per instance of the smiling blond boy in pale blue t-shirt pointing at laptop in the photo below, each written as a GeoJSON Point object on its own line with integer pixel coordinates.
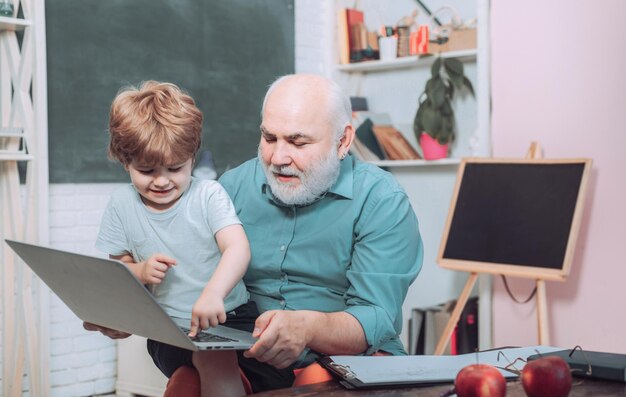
{"type": "Point", "coordinates": [179, 235]}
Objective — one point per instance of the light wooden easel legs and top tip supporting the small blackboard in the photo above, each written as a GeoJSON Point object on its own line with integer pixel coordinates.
{"type": "Point", "coordinates": [534, 152]}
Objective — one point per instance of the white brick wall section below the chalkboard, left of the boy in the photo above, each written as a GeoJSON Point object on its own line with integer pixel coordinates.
{"type": "Point", "coordinates": [81, 363]}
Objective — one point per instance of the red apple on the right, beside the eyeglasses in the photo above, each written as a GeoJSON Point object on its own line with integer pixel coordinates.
{"type": "Point", "coordinates": [547, 376]}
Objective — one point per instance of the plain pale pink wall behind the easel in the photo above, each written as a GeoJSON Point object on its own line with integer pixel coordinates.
{"type": "Point", "coordinates": [559, 77]}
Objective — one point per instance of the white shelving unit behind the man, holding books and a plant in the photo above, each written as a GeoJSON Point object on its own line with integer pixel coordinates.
{"type": "Point", "coordinates": [394, 87]}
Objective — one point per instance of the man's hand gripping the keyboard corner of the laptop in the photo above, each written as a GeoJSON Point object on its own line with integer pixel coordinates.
{"type": "Point", "coordinates": [283, 335]}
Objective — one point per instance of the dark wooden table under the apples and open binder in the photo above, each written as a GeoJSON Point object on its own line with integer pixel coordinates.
{"type": "Point", "coordinates": [580, 388]}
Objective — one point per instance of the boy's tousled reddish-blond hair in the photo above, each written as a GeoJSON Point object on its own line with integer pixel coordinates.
{"type": "Point", "coordinates": [155, 123]}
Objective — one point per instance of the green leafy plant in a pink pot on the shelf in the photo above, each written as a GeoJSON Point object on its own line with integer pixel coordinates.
{"type": "Point", "coordinates": [435, 125]}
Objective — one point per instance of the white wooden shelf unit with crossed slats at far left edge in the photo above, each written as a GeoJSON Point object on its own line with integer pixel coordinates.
{"type": "Point", "coordinates": [23, 198]}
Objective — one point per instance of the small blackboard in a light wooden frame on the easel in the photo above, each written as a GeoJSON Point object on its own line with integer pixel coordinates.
{"type": "Point", "coordinates": [515, 217]}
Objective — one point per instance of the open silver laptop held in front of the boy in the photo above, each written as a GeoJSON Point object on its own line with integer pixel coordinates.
{"type": "Point", "coordinates": [105, 292]}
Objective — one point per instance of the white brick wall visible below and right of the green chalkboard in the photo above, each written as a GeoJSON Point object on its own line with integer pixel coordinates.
{"type": "Point", "coordinates": [84, 363]}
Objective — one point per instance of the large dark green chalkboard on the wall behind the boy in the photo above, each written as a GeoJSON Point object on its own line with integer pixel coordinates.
{"type": "Point", "coordinates": [224, 53]}
